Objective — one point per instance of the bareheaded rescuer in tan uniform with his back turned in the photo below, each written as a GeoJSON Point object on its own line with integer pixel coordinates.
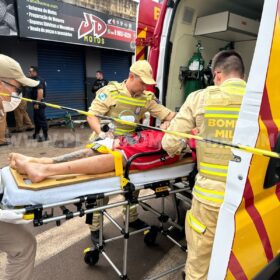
{"type": "Point", "coordinates": [214, 112]}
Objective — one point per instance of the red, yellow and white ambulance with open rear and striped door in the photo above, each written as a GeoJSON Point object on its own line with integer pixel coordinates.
{"type": "Point", "coordinates": [187, 35]}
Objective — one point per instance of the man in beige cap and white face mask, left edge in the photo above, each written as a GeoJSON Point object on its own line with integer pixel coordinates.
{"type": "Point", "coordinates": [15, 240]}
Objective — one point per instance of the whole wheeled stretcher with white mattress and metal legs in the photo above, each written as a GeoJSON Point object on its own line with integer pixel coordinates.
{"type": "Point", "coordinates": [168, 180]}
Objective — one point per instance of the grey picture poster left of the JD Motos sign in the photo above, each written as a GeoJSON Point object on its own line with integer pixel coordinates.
{"type": "Point", "coordinates": [8, 25]}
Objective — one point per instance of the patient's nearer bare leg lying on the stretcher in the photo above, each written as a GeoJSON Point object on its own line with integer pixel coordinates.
{"type": "Point", "coordinates": [37, 172]}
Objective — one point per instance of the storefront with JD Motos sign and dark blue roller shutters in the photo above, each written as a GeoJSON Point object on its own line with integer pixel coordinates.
{"type": "Point", "coordinates": [69, 44]}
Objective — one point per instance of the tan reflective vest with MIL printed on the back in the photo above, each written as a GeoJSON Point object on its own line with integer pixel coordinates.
{"type": "Point", "coordinates": [221, 110]}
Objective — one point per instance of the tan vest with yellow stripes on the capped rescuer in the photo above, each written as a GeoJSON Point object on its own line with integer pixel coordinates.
{"type": "Point", "coordinates": [127, 108]}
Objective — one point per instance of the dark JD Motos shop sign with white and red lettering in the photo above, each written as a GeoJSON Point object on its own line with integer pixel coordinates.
{"type": "Point", "coordinates": [62, 22]}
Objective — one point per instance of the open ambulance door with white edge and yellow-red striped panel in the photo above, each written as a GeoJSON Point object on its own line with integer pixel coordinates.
{"type": "Point", "coordinates": [247, 236]}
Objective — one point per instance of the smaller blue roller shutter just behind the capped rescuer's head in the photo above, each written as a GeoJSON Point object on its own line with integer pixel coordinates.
{"type": "Point", "coordinates": [115, 65]}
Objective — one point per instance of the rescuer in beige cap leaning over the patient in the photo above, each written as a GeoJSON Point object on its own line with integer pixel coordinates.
{"type": "Point", "coordinates": [129, 101]}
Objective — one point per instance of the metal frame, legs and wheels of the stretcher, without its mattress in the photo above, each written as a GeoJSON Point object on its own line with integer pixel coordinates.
{"type": "Point", "coordinates": [86, 205]}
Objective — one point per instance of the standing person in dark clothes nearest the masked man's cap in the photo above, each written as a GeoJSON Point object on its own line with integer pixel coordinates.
{"type": "Point", "coordinates": [39, 93]}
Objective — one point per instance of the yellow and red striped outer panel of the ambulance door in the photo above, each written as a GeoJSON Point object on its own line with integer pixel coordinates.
{"type": "Point", "coordinates": [256, 239]}
